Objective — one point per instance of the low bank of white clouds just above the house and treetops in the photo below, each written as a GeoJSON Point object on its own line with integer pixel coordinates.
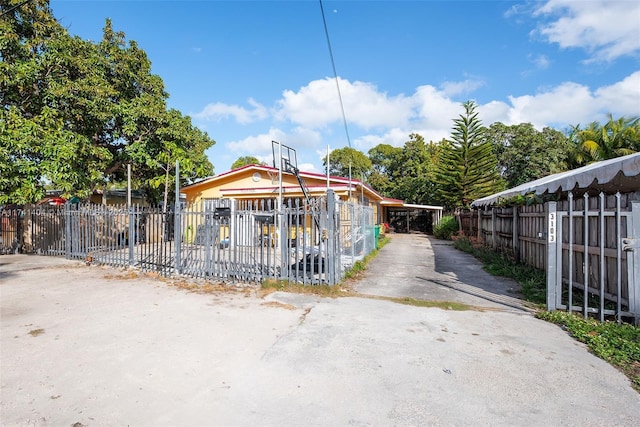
{"type": "Point", "coordinates": [308, 126]}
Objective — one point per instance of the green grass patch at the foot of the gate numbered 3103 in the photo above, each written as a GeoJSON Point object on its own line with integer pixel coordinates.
{"type": "Point", "coordinates": [618, 344]}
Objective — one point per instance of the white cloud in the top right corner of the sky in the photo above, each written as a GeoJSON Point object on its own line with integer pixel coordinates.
{"type": "Point", "coordinates": [606, 29]}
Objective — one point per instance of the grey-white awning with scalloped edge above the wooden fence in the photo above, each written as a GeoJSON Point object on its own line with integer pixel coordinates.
{"type": "Point", "coordinates": [620, 174]}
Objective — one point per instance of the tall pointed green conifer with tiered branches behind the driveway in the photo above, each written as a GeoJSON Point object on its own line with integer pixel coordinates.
{"type": "Point", "coordinates": [467, 168]}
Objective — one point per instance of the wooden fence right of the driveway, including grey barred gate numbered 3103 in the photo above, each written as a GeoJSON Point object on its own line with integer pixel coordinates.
{"type": "Point", "coordinates": [589, 247]}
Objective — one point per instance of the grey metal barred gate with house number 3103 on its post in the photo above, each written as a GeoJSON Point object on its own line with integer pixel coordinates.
{"type": "Point", "coordinates": [593, 255]}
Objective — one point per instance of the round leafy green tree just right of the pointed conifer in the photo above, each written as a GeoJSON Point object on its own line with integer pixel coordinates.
{"type": "Point", "coordinates": [525, 154]}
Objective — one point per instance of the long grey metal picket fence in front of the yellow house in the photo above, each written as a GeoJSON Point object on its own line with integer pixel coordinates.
{"type": "Point", "coordinates": [309, 242]}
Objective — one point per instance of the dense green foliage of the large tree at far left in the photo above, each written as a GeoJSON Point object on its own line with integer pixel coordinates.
{"type": "Point", "coordinates": [75, 112]}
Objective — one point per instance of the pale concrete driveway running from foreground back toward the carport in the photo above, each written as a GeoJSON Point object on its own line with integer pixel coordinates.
{"type": "Point", "coordinates": [96, 346]}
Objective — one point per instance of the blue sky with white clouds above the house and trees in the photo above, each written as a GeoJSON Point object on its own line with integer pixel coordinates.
{"type": "Point", "coordinates": [249, 72]}
